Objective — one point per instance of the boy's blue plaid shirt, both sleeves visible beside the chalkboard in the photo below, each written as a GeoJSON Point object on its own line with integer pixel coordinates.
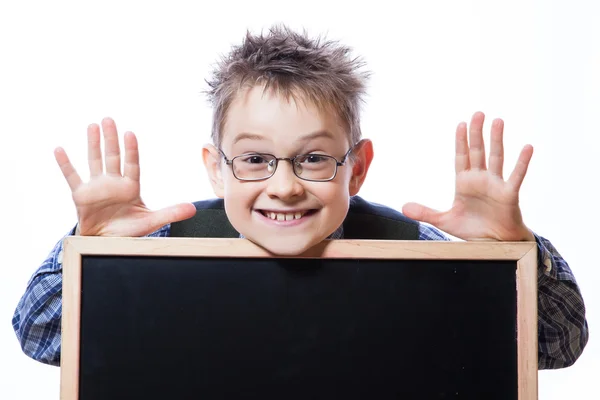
{"type": "Point", "coordinates": [562, 327]}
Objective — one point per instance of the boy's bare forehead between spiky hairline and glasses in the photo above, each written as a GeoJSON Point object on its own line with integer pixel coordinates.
{"type": "Point", "coordinates": [260, 114]}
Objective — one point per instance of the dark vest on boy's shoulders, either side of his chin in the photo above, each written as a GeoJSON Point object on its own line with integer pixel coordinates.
{"type": "Point", "coordinates": [364, 221]}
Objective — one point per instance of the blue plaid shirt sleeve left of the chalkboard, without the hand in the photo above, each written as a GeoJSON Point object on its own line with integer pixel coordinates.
{"type": "Point", "coordinates": [37, 318]}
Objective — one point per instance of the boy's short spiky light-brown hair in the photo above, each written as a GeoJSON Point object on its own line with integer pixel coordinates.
{"type": "Point", "coordinates": [293, 65]}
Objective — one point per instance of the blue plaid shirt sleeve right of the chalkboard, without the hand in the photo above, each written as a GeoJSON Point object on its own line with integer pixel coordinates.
{"type": "Point", "coordinates": [562, 327]}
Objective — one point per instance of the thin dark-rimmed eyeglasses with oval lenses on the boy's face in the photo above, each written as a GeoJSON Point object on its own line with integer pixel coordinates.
{"type": "Point", "coordinates": [309, 167]}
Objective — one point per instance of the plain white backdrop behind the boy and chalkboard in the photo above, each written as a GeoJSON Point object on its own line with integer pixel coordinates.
{"type": "Point", "coordinates": [536, 64]}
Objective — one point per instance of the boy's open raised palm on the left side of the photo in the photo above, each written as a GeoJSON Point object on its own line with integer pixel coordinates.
{"type": "Point", "coordinates": [109, 204]}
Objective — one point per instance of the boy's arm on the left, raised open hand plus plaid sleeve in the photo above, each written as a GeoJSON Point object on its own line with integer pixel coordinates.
{"type": "Point", "coordinates": [109, 204]}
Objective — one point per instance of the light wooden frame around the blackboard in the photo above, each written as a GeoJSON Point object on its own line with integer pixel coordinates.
{"type": "Point", "coordinates": [524, 253]}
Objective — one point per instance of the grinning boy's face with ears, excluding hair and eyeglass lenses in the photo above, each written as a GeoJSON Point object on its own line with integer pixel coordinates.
{"type": "Point", "coordinates": [285, 214]}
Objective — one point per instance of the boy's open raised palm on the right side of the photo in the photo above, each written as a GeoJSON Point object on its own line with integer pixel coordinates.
{"type": "Point", "coordinates": [485, 205]}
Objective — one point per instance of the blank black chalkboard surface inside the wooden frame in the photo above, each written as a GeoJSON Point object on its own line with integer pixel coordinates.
{"type": "Point", "coordinates": [217, 328]}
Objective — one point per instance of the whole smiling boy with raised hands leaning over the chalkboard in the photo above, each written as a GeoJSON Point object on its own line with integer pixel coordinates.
{"type": "Point", "coordinates": [288, 161]}
